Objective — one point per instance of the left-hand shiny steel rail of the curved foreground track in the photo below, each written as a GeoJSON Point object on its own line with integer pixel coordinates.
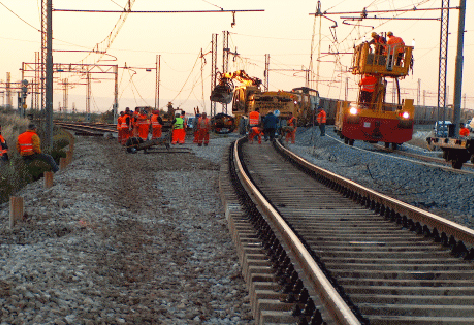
{"type": "Point", "coordinates": [331, 298]}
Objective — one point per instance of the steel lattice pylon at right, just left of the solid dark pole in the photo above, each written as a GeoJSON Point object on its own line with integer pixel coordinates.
{"type": "Point", "coordinates": [443, 58]}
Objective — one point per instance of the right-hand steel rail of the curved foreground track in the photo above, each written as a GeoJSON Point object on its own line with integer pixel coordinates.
{"type": "Point", "coordinates": [423, 217]}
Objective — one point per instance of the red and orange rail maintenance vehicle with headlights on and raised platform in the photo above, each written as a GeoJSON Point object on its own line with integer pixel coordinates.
{"type": "Point", "coordinates": [371, 118]}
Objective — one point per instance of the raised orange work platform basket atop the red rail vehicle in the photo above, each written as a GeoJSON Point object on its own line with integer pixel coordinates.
{"type": "Point", "coordinates": [387, 60]}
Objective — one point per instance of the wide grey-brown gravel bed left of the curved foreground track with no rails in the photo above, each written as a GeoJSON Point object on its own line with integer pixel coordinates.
{"type": "Point", "coordinates": [124, 239]}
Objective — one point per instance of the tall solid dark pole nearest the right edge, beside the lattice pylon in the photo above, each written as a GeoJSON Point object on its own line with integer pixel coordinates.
{"type": "Point", "coordinates": [459, 66]}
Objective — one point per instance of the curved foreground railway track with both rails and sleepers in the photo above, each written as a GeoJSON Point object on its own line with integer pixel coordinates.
{"type": "Point", "coordinates": [363, 258]}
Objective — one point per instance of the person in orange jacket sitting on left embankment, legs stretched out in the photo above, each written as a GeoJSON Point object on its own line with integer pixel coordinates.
{"type": "Point", "coordinates": [28, 145]}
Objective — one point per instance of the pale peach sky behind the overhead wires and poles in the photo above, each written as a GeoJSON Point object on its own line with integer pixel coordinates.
{"type": "Point", "coordinates": [284, 30]}
